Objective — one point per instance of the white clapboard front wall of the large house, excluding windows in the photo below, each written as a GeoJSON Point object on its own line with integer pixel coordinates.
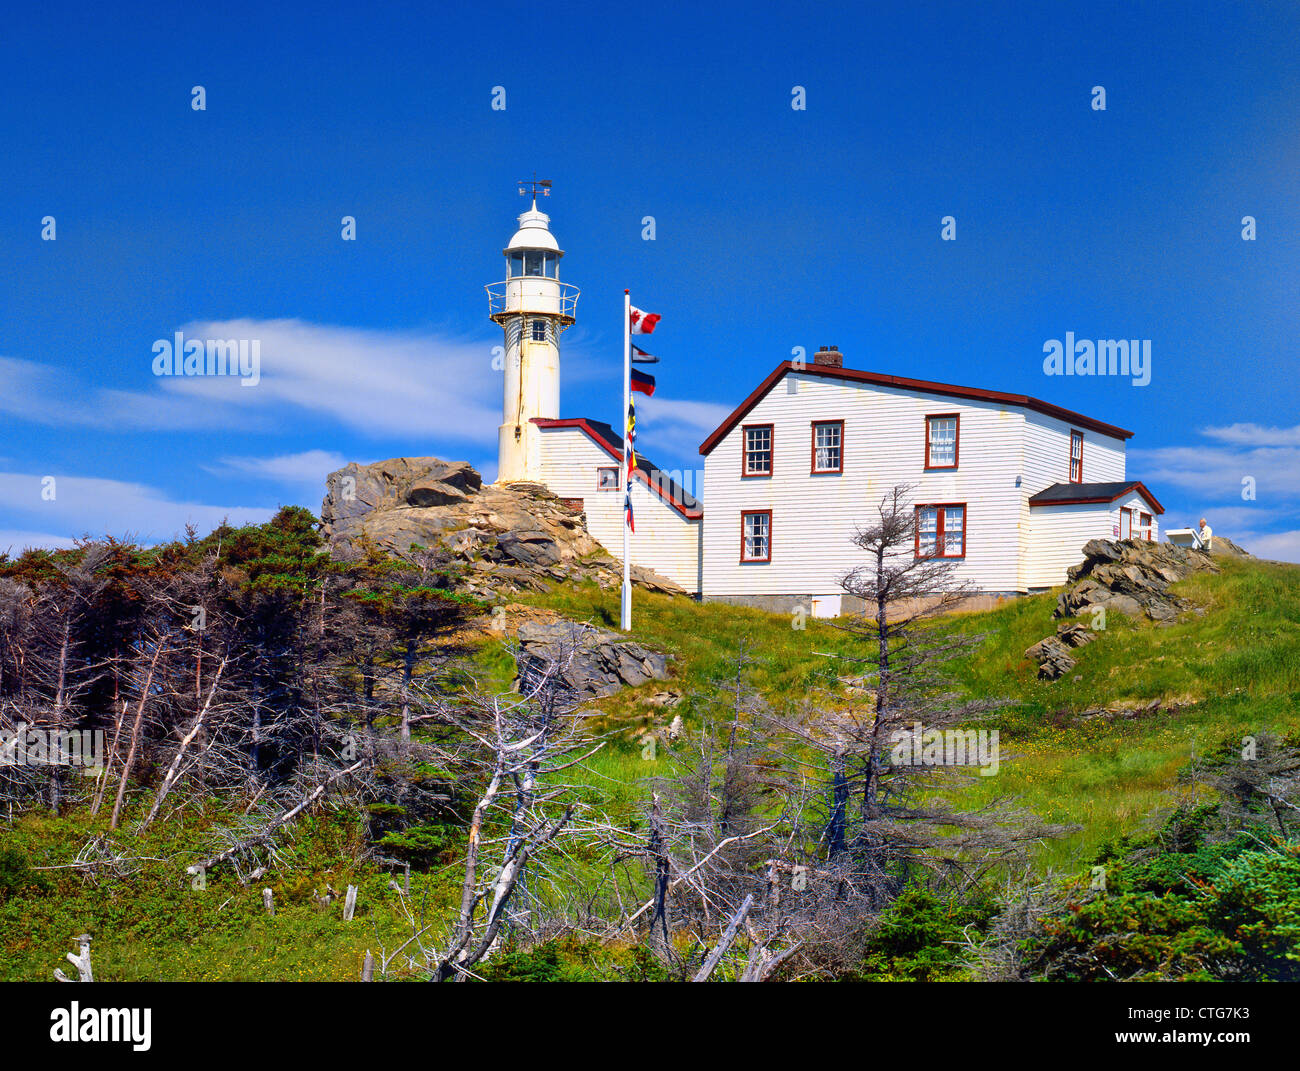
{"type": "Point", "coordinates": [814, 518]}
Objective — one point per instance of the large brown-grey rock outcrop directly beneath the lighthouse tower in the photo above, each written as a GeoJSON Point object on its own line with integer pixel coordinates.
{"type": "Point", "coordinates": [506, 537]}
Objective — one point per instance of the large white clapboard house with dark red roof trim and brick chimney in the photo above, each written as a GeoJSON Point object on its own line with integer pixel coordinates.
{"type": "Point", "coordinates": [1007, 487]}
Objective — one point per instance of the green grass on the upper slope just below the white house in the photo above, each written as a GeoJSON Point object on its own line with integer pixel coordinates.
{"type": "Point", "coordinates": [1232, 671]}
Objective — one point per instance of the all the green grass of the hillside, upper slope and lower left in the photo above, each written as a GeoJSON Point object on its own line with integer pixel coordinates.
{"type": "Point", "coordinates": [1219, 675]}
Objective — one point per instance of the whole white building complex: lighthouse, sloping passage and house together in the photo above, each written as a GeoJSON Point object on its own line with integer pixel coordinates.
{"type": "Point", "coordinates": [1007, 487]}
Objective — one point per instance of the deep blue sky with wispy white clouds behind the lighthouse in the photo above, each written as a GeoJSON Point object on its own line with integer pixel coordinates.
{"type": "Point", "coordinates": [775, 228]}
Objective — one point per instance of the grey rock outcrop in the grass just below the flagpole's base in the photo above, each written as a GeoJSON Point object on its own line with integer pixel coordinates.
{"type": "Point", "coordinates": [590, 662]}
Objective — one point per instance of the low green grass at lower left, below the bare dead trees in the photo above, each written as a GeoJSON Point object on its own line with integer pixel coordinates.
{"type": "Point", "coordinates": [157, 925]}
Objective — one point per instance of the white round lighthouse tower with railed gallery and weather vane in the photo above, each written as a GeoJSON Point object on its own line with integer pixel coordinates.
{"type": "Point", "coordinates": [534, 307]}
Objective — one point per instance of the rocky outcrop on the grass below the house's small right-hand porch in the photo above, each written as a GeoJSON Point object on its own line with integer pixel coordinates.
{"type": "Point", "coordinates": [1130, 578]}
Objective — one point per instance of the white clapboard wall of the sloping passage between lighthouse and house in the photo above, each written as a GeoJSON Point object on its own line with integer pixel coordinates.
{"type": "Point", "coordinates": [665, 540]}
